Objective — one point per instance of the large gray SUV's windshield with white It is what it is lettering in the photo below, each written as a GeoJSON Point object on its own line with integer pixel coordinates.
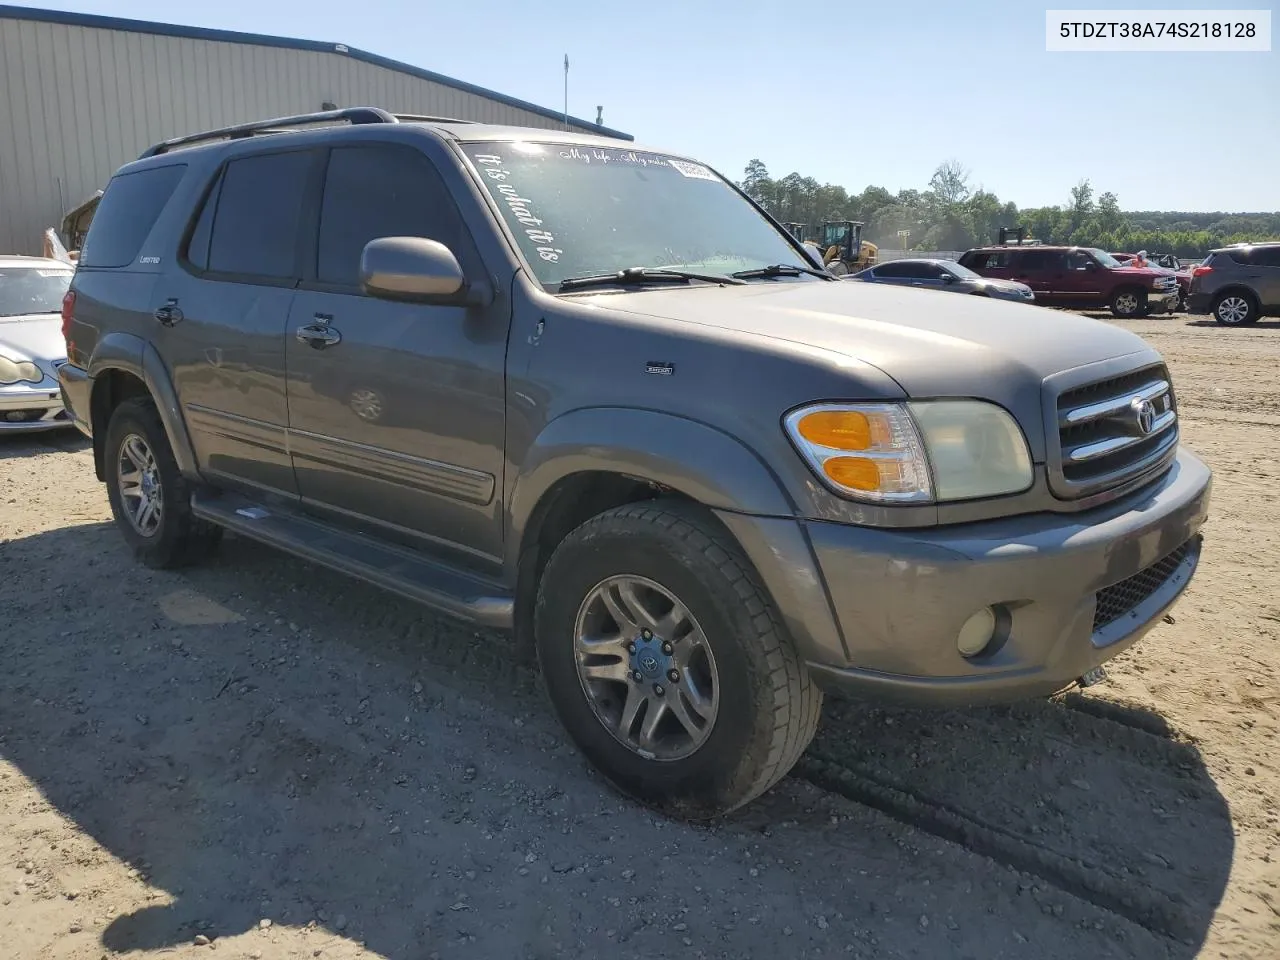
{"type": "Point", "coordinates": [579, 212]}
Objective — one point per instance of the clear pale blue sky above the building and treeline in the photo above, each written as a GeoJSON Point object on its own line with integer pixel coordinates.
{"type": "Point", "coordinates": [877, 95]}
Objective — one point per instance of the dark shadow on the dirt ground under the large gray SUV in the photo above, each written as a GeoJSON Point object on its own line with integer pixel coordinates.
{"type": "Point", "coordinates": [262, 739]}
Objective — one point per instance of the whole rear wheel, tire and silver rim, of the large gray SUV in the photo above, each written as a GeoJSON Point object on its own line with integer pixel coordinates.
{"type": "Point", "coordinates": [168, 537]}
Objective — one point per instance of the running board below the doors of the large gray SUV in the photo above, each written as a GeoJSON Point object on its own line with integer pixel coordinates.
{"type": "Point", "coordinates": [400, 570]}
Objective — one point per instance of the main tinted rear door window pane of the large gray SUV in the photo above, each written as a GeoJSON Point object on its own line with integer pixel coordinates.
{"type": "Point", "coordinates": [257, 214]}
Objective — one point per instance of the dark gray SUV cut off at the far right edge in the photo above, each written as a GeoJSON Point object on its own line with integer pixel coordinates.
{"type": "Point", "coordinates": [1238, 285]}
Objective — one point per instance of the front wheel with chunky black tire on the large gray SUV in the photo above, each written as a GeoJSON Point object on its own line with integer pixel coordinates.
{"type": "Point", "coordinates": [765, 706]}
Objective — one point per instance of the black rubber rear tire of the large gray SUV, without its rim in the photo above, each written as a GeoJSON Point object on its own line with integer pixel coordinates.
{"type": "Point", "coordinates": [180, 540]}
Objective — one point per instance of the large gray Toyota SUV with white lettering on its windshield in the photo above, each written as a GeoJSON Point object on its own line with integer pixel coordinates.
{"type": "Point", "coordinates": [592, 395]}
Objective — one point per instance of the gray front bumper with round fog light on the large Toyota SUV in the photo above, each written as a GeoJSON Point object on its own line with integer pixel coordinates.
{"type": "Point", "coordinates": [902, 597]}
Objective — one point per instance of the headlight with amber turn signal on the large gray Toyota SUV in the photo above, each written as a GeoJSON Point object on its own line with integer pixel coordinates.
{"type": "Point", "coordinates": [913, 452]}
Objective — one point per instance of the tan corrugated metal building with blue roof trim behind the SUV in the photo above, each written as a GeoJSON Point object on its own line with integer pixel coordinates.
{"type": "Point", "coordinates": [80, 95]}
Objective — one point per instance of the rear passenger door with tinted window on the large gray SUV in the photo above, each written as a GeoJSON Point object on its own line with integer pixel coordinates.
{"type": "Point", "coordinates": [234, 292]}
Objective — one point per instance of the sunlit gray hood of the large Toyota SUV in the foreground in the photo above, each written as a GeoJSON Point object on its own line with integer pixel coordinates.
{"type": "Point", "coordinates": [932, 344]}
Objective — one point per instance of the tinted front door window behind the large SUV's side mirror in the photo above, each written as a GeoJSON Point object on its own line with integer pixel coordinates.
{"type": "Point", "coordinates": [382, 191]}
